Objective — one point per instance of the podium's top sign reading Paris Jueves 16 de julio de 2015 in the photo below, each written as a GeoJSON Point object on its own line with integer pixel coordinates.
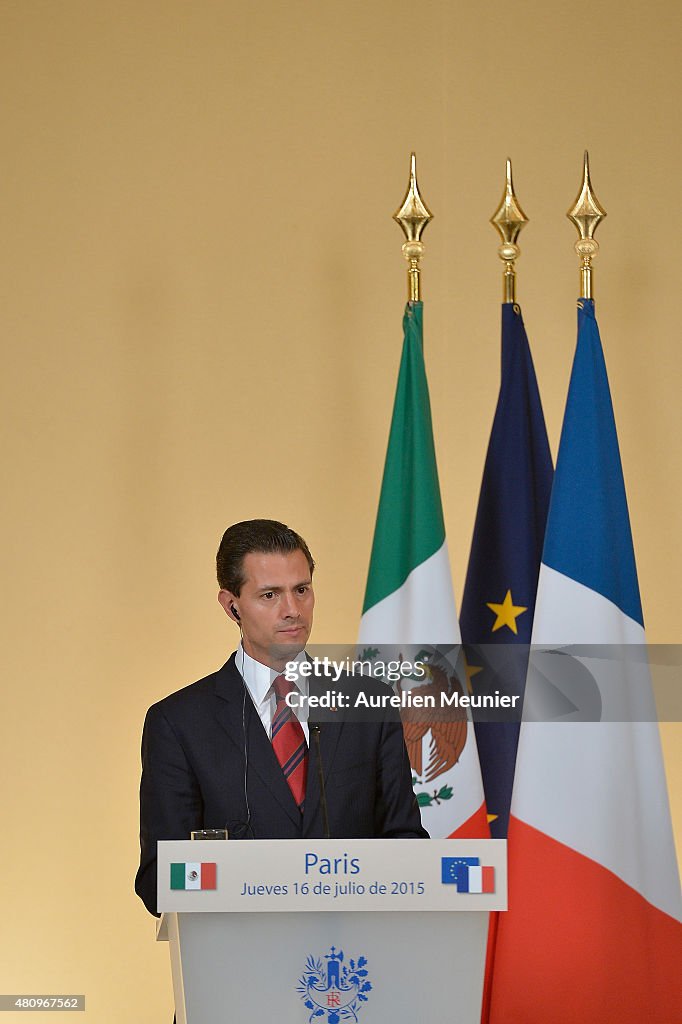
{"type": "Point", "coordinates": [279, 876]}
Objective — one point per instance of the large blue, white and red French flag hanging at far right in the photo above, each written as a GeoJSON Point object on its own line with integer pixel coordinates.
{"type": "Point", "coordinates": [593, 934]}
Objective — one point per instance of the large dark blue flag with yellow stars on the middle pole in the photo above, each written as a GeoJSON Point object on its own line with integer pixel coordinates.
{"type": "Point", "coordinates": [502, 579]}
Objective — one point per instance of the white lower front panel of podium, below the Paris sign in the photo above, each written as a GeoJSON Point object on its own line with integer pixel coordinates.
{"type": "Point", "coordinates": [420, 966]}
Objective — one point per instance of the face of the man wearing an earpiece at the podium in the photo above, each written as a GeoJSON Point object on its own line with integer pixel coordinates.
{"type": "Point", "coordinates": [275, 607]}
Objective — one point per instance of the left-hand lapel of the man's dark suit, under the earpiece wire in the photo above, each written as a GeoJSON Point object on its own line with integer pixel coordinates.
{"type": "Point", "coordinates": [235, 714]}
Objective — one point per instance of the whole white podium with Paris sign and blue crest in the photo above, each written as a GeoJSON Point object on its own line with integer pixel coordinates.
{"type": "Point", "coordinates": [329, 931]}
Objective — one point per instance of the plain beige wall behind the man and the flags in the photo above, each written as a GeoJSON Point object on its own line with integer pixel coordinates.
{"type": "Point", "coordinates": [202, 303]}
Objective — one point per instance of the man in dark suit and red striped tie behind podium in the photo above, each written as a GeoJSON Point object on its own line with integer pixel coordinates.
{"type": "Point", "coordinates": [230, 752]}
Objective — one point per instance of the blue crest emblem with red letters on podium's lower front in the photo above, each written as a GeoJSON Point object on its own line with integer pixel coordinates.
{"type": "Point", "coordinates": [333, 989]}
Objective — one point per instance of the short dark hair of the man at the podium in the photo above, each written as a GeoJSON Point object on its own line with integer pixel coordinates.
{"type": "Point", "coordinates": [265, 536]}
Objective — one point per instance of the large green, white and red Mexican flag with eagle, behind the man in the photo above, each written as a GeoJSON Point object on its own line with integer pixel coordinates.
{"type": "Point", "coordinates": [409, 600]}
